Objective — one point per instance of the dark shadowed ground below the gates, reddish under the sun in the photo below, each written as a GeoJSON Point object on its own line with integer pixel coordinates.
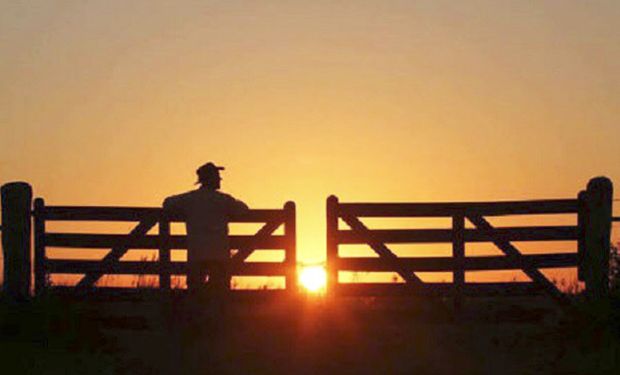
{"type": "Point", "coordinates": [312, 336]}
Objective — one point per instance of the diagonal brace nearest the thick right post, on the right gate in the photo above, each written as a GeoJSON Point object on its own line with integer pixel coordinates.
{"type": "Point", "coordinates": [513, 254]}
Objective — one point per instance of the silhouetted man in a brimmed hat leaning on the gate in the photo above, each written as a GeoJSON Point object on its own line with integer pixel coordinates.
{"type": "Point", "coordinates": [206, 212]}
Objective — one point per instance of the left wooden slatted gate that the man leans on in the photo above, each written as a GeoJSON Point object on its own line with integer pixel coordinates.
{"type": "Point", "coordinates": [163, 241]}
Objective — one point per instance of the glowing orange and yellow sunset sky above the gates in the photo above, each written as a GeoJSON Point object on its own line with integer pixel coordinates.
{"type": "Point", "coordinates": [117, 103]}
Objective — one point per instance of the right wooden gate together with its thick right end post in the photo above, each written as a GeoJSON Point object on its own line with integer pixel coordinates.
{"type": "Point", "coordinates": [592, 208]}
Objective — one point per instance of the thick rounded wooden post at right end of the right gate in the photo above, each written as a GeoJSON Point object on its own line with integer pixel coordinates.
{"type": "Point", "coordinates": [595, 270]}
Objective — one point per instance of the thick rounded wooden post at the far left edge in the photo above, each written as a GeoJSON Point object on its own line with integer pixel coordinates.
{"type": "Point", "coordinates": [16, 231]}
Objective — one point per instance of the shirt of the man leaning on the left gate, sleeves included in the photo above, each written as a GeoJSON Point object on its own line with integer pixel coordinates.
{"type": "Point", "coordinates": [206, 213]}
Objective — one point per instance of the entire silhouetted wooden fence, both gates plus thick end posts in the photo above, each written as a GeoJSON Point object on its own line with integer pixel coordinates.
{"type": "Point", "coordinates": [592, 207]}
